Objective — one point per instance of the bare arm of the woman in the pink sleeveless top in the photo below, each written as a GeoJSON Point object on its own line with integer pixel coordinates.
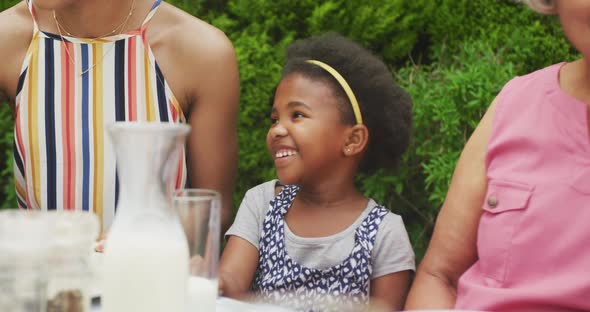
{"type": "Point", "coordinates": [452, 249]}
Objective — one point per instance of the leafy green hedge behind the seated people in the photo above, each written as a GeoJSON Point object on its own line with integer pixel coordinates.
{"type": "Point", "coordinates": [452, 56]}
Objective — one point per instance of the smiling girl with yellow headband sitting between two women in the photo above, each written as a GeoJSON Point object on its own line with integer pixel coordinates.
{"type": "Point", "coordinates": [311, 240]}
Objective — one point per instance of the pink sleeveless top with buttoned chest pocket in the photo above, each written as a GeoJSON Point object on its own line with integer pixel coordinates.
{"type": "Point", "coordinates": [534, 234]}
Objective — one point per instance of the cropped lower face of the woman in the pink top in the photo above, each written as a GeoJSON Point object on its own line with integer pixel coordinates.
{"type": "Point", "coordinates": [575, 20]}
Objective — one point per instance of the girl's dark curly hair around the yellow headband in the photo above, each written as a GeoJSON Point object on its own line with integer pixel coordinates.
{"type": "Point", "coordinates": [386, 108]}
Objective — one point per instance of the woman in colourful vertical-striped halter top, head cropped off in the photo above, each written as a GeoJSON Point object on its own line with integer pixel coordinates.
{"type": "Point", "coordinates": [71, 68]}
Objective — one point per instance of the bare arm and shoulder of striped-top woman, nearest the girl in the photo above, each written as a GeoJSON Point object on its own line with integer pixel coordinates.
{"type": "Point", "coordinates": [200, 62]}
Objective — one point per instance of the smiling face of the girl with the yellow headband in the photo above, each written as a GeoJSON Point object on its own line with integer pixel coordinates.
{"type": "Point", "coordinates": [306, 137]}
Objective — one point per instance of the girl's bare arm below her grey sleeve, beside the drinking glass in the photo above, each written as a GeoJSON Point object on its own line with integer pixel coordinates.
{"type": "Point", "coordinates": [237, 268]}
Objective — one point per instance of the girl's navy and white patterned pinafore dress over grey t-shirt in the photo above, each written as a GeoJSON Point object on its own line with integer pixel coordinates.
{"type": "Point", "coordinates": [281, 280]}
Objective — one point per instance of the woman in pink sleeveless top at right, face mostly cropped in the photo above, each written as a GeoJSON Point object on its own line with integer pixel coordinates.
{"type": "Point", "coordinates": [512, 233]}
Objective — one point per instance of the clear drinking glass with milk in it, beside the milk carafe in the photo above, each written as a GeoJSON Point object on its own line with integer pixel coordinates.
{"type": "Point", "coordinates": [199, 211]}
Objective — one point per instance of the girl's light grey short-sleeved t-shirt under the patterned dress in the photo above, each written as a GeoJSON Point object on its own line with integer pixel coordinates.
{"type": "Point", "coordinates": [391, 253]}
